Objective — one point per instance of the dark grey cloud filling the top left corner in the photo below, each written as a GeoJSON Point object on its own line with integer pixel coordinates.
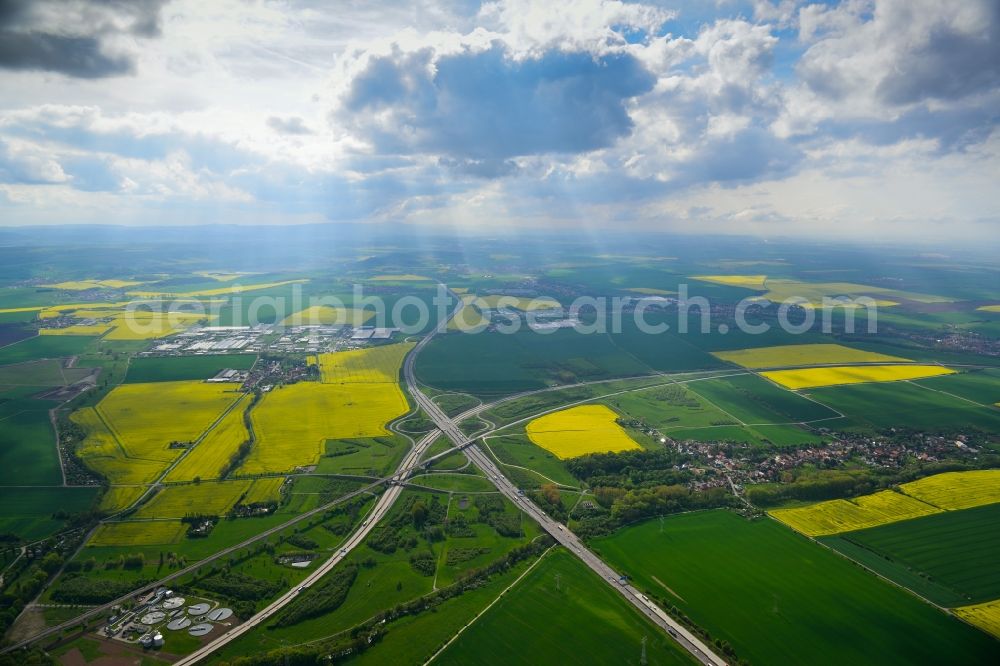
{"type": "Point", "coordinates": [74, 37]}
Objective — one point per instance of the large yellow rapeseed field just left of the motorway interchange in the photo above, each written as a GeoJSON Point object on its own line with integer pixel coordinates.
{"type": "Point", "coordinates": [292, 423]}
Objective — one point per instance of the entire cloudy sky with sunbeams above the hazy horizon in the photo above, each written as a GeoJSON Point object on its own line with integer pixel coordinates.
{"type": "Point", "coordinates": [776, 118]}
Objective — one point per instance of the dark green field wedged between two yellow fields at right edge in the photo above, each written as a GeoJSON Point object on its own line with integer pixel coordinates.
{"type": "Point", "coordinates": [955, 550]}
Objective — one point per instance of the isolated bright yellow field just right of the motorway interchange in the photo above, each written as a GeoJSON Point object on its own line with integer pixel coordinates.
{"type": "Point", "coordinates": [580, 430]}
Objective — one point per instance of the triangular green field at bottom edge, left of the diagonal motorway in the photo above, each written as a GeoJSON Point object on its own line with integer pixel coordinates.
{"type": "Point", "coordinates": [561, 613]}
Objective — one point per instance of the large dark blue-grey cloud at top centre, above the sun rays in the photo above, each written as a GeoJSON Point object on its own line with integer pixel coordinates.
{"type": "Point", "coordinates": [488, 105]}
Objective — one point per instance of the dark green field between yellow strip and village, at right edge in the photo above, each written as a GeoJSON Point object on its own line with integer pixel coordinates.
{"type": "Point", "coordinates": [904, 404]}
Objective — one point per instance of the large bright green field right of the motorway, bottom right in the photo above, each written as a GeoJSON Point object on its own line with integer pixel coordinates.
{"type": "Point", "coordinates": [777, 597]}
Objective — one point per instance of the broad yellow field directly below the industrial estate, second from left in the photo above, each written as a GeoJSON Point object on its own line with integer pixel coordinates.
{"type": "Point", "coordinates": [145, 418]}
